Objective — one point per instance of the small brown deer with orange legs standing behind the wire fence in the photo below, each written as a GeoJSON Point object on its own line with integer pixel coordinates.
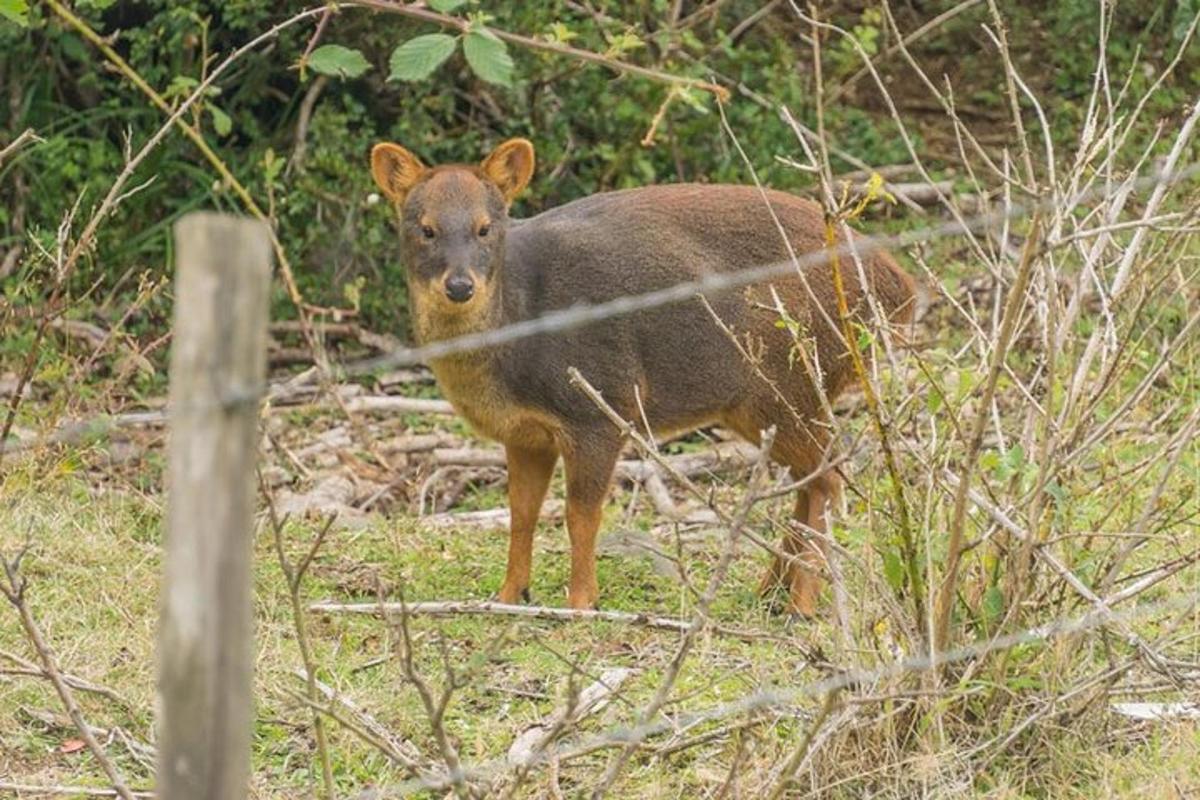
{"type": "Point", "coordinates": [471, 269]}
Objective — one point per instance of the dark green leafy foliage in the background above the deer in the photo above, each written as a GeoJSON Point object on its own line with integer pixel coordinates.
{"type": "Point", "coordinates": [458, 97]}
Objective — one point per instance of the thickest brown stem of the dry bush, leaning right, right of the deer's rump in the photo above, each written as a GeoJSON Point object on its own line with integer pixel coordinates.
{"type": "Point", "coordinates": [946, 593]}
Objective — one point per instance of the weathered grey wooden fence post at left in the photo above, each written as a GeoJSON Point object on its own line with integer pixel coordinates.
{"type": "Point", "coordinates": [206, 639]}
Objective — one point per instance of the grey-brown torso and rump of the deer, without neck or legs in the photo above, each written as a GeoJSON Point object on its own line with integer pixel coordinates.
{"type": "Point", "coordinates": [685, 366]}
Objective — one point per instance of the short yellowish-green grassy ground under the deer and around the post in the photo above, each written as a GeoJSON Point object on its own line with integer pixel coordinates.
{"type": "Point", "coordinates": [94, 576]}
